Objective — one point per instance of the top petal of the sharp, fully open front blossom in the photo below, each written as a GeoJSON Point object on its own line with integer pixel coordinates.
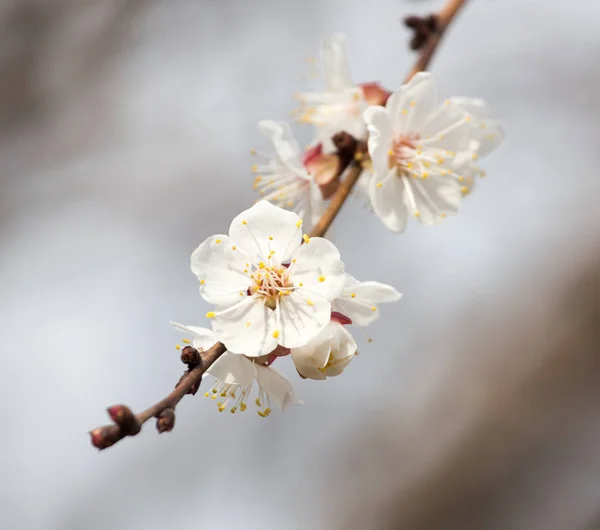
{"type": "Point", "coordinates": [265, 228]}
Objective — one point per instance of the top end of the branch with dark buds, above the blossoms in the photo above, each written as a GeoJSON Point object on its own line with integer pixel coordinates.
{"type": "Point", "coordinates": [430, 31]}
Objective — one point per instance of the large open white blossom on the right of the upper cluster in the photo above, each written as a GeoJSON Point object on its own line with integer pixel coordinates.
{"type": "Point", "coordinates": [423, 152]}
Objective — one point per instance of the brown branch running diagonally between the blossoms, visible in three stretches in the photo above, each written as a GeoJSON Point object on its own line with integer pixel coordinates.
{"type": "Point", "coordinates": [350, 153]}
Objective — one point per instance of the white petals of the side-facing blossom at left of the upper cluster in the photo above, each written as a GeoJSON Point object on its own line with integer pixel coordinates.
{"type": "Point", "coordinates": [284, 181]}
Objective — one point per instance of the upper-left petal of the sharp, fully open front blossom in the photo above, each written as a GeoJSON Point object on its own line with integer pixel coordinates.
{"type": "Point", "coordinates": [220, 270]}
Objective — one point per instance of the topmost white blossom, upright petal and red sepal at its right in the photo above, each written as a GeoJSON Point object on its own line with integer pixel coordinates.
{"type": "Point", "coordinates": [341, 105]}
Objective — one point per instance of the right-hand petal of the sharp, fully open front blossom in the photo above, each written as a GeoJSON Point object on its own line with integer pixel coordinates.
{"type": "Point", "coordinates": [318, 267]}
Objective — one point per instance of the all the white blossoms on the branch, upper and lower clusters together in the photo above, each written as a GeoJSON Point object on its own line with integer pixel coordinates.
{"type": "Point", "coordinates": [279, 293]}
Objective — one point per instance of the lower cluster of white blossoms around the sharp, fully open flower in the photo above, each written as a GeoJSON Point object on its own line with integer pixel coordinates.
{"type": "Point", "coordinates": [277, 293]}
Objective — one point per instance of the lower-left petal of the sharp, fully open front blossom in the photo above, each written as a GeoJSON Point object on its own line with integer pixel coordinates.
{"type": "Point", "coordinates": [246, 328]}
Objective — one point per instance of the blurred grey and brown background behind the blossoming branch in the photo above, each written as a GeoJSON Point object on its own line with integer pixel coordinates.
{"type": "Point", "coordinates": [124, 135]}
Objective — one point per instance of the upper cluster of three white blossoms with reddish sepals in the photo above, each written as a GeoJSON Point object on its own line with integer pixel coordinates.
{"type": "Point", "coordinates": [422, 150]}
